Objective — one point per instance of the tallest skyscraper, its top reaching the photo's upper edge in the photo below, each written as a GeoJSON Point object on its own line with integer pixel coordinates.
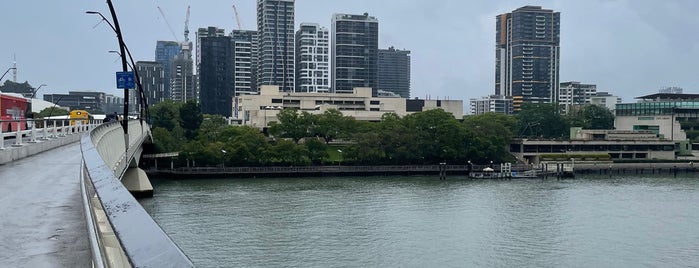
{"type": "Point", "coordinates": [275, 25]}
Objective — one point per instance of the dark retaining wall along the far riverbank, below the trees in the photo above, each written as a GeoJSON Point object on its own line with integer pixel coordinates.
{"type": "Point", "coordinates": [451, 170]}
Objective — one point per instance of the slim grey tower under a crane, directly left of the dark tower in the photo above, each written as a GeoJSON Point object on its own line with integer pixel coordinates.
{"type": "Point", "coordinates": [182, 79]}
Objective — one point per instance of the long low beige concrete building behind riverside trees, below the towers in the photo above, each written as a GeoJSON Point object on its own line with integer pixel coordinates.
{"type": "Point", "coordinates": [260, 109]}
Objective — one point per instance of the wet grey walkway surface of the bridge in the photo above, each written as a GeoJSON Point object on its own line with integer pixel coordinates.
{"type": "Point", "coordinates": [41, 211]}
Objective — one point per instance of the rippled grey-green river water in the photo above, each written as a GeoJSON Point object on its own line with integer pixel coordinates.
{"type": "Point", "coordinates": [420, 221]}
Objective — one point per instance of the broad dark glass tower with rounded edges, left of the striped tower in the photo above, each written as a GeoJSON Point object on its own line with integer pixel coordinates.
{"type": "Point", "coordinates": [215, 70]}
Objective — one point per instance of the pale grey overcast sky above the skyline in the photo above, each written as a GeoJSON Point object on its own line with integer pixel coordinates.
{"type": "Point", "coordinates": [626, 47]}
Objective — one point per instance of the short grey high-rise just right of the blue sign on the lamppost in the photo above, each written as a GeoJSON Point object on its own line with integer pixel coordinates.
{"type": "Point", "coordinates": [153, 80]}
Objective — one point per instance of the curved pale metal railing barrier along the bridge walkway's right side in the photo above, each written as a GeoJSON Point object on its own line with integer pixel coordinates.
{"type": "Point", "coordinates": [121, 232]}
